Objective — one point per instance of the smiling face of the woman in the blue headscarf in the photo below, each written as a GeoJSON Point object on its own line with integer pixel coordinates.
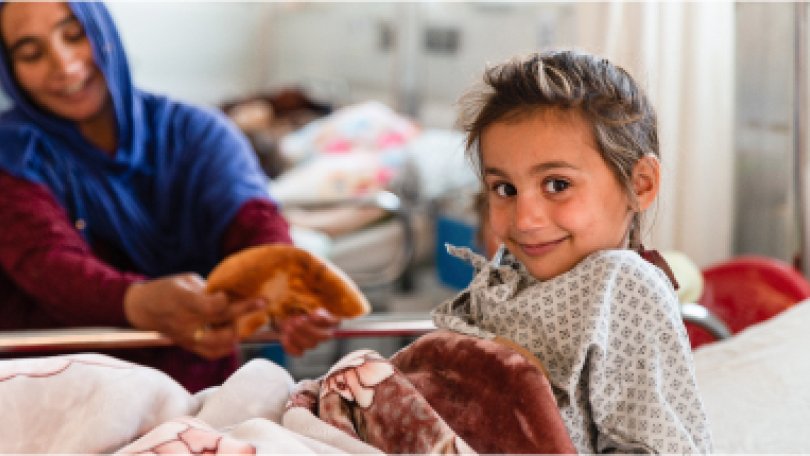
{"type": "Point", "coordinates": [52, 59]}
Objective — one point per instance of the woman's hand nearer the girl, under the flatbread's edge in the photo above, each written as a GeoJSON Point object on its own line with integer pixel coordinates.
{"type": "Point", "coordinates": [302, 332]}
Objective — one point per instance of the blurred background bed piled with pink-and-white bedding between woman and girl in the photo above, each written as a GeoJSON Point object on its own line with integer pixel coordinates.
{"type": "Point", "coordinates": [357, 184]}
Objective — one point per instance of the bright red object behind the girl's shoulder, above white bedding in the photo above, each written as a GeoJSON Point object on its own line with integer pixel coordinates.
{"type": "Point", "coordinates": [747, 290]}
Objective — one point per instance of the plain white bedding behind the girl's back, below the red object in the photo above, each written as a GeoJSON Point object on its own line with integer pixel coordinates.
{"type": "Point", "coordinates": [756, 386]}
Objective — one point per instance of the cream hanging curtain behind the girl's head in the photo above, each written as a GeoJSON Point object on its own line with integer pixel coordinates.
{"type": "Point", "coordinates": [683, 54]}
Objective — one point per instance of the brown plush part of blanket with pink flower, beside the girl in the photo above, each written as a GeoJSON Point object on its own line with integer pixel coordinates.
{"type": "Point", "coordinates": [445, 393]}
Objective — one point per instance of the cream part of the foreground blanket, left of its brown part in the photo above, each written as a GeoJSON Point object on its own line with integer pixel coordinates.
{"type": "Point", "coordinates": [89, 403]}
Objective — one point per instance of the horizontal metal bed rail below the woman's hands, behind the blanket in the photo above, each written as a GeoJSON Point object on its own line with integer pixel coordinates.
{"type": "Point", "coordinates": [100, 338]}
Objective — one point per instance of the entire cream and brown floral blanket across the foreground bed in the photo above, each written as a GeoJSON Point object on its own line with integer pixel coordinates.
{"type": "Point", "coordinates": [446, 393]}
